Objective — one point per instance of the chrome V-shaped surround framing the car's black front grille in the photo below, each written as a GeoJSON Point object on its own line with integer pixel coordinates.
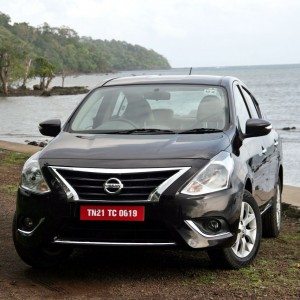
{"type": "Point", "coordinates": [154, 196]}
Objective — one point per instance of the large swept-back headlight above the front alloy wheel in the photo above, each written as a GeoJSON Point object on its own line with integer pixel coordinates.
{"type": "Point", "coordinates": [214, 177]}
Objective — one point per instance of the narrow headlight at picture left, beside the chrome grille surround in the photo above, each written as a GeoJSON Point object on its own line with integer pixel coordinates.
{"type": "Point", "coordinates": [32, 178]}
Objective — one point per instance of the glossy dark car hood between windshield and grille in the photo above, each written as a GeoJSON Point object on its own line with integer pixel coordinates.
{"type": "Point", "coordinates": [133, 147]}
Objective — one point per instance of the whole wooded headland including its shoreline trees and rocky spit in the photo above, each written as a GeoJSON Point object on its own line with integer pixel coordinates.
{"type": "Point", "coordinates": [45, 52]}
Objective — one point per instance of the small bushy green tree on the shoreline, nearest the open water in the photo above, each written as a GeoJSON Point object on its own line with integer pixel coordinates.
{"type": "Point", "coordinates": [45, 70]}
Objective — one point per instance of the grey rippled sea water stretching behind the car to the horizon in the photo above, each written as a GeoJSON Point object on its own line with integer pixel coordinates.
{"type": "Point", "coordinates": [276, 87]}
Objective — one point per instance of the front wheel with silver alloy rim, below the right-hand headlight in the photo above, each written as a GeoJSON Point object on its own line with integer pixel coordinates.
{"type": "Point", "coordinates": [237, 256]}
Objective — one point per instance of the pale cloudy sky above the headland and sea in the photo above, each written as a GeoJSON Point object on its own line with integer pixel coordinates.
{"type": "Point", "coordinates": [187, 32]}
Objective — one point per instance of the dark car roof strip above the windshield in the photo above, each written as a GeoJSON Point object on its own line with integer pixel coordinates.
{"type": "Point", "coordinates": [171, 79]}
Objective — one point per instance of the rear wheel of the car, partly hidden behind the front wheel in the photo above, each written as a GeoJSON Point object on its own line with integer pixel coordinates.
{"type": "Point", "coordinates": [271, 220]}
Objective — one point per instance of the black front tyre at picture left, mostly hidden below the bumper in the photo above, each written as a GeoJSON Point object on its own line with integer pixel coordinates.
{"type": "Point", "coordinates": [40, 257]}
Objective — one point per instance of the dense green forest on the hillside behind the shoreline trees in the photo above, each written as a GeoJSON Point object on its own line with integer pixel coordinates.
{"type": "Point", "coordinates": [66, 52]}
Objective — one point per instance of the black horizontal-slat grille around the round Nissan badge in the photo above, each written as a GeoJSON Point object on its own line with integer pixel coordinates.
{"type": "Point", "coordinates": [136, 186]}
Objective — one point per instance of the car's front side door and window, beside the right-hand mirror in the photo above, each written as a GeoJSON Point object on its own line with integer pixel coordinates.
{"type": "Point", "coordinates": [254, 148]}
